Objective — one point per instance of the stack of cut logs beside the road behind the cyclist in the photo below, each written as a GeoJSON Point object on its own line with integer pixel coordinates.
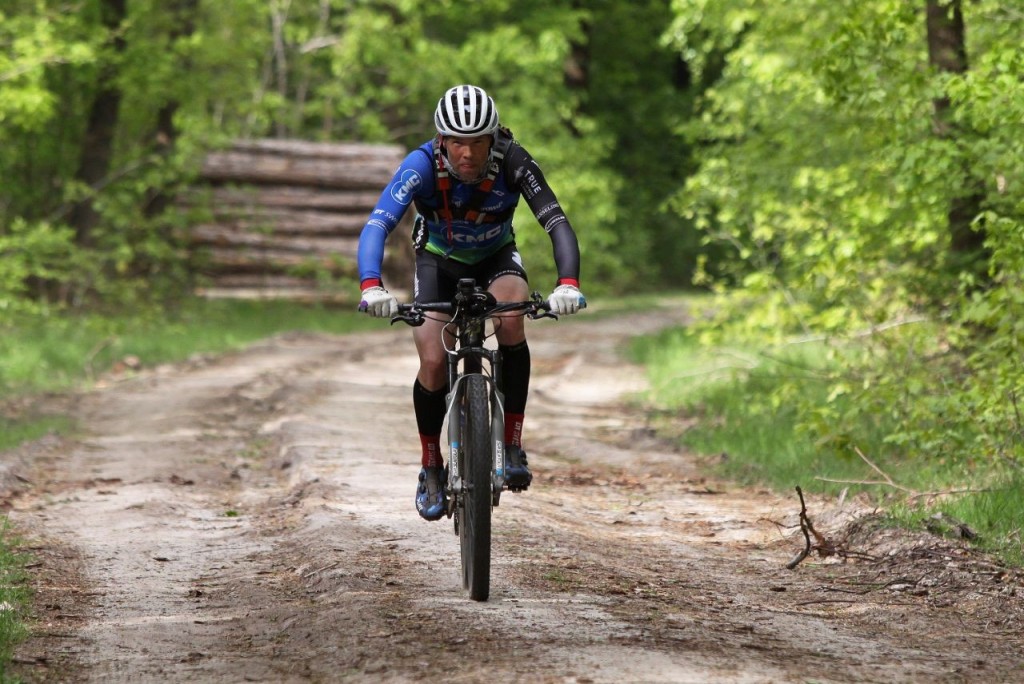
{"type": "Point", "coordinates": [287, 218]}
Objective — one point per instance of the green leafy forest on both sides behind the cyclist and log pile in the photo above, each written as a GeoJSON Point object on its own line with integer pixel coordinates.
{"type": "Point", "coordinates": [848, 176]}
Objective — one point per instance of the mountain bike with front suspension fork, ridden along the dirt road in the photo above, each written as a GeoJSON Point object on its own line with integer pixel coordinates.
{"type": "Point", "coordinates": [476, 417]}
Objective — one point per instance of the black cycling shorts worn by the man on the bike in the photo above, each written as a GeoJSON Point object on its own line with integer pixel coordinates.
{"type": "Point", "coordinates": [438, 279]}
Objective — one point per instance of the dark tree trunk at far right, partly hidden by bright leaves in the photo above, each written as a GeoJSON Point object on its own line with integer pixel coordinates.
{"type": "Point", "coordinates": [948, 54]}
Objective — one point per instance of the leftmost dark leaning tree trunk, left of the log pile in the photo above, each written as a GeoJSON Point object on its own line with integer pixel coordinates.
{"type": "Point", "coordinates": [98, 148]}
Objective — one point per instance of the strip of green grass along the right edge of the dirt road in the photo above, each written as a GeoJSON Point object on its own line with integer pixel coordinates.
{"type": "Point", "coordinates": [748, 432]}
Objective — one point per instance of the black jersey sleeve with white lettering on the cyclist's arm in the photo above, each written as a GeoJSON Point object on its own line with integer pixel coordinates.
{"type": "Point", "coordinates": [529, 180]}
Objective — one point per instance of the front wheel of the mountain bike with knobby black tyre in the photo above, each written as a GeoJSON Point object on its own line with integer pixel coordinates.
{"type": "Point", "coordinates": [475, 528]}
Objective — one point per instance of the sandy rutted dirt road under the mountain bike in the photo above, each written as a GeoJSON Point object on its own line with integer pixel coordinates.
{"type": "Point", "coordinates": [250, 519]}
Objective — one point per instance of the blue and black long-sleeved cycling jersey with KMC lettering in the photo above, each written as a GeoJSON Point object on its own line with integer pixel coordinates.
{"type": "Point", "coordinates": [450, 234]}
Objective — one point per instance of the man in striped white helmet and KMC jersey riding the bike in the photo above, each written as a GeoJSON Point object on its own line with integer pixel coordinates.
{"type": "Point", "coordinates": [465, 185]}
